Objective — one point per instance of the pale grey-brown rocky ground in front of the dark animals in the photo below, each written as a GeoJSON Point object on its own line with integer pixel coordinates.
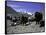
{"type": "Point", "coordinates": [33, 27]}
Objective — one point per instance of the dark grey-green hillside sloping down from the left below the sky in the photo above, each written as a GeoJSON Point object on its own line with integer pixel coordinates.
{"type": "Point", "coordinates": [9, 10]}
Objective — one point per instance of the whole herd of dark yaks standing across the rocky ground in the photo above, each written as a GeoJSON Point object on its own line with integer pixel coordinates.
{"type": "Point", "coordinates": [23, 20]}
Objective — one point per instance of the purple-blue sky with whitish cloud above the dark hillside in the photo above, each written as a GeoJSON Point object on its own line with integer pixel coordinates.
{"type": "Point", "coordinates": [29, 7]}
